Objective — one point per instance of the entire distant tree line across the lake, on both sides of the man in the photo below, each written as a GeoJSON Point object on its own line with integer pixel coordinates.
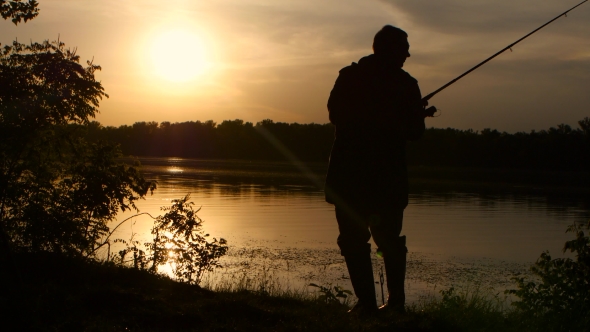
{"type": "Point", "coordinates": [560, 148]}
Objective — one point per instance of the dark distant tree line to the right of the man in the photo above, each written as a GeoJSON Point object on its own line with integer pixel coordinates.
{"type": "Point", "coordinates": [560, 148]}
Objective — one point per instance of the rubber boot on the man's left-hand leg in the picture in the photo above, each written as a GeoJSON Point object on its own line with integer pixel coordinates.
{"type": "Point", "coordinates": [360, 270]}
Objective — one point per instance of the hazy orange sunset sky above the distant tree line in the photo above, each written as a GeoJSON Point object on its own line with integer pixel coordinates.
{"type": "Point", "coordinates": [182, 60]}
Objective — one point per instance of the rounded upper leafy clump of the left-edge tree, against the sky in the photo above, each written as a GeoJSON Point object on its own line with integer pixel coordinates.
{"type": "Point", "coordinates": [44, 84]}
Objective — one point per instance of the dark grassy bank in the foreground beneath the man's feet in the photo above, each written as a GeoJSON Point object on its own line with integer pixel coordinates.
{"type": "Point", "coordinates": [49, 293]}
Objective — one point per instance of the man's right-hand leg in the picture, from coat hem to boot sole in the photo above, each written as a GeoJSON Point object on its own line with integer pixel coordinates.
{"type": "Point", "coordinates": [386, 229]}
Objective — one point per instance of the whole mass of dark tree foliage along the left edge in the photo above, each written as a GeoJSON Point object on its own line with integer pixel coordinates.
{"type": "Point", "coordinates": [57, 191]}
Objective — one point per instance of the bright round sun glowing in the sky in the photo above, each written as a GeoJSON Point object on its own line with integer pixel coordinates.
{"type": "Point", "coordinates": [178, 56]}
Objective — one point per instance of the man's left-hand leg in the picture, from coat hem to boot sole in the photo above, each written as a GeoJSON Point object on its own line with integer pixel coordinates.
{"type": "Point", "coordinates": [354, 246]}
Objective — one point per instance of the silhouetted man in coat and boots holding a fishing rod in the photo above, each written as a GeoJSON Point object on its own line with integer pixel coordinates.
{"type": "Point", "coordinates": [376, 107]}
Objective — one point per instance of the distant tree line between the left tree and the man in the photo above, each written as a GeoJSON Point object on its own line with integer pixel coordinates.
{"type": "Point", "coordinates": [231, 139]}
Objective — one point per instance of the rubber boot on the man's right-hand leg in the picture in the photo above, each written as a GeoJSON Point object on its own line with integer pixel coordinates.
{"type": "Point", "coordinates": [395, 271]}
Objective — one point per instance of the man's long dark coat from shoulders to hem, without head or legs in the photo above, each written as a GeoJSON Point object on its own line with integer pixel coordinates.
{"type": "Point", "coordinates": [375, 107]}
